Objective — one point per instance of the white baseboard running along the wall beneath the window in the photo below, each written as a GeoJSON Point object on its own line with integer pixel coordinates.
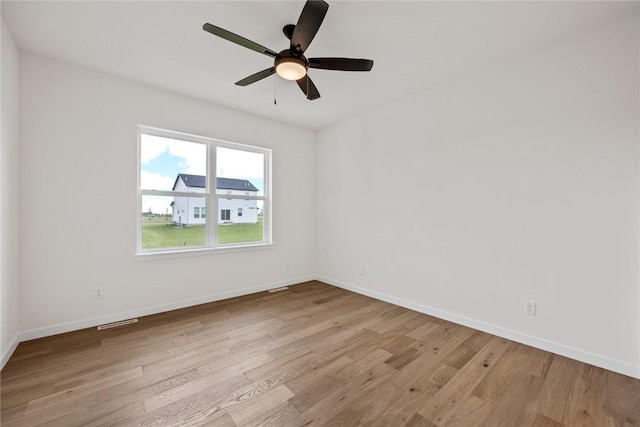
{"type": "Point", "coordinates": [116, 317]}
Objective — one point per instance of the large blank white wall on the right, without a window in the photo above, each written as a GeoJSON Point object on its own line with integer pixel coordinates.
{"type": "Point", "coordinates": [525, 175]}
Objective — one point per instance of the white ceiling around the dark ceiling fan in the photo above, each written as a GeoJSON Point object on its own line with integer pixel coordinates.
{"type": "Point", "coordinates": [415, 45]}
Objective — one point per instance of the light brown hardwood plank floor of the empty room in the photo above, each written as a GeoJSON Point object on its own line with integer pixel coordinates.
{"type": "Point", "coordinates": [312, 355]}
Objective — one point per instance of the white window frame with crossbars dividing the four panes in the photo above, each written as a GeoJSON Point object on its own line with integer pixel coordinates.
{"type": "Point", "coordinates": [211, 198]}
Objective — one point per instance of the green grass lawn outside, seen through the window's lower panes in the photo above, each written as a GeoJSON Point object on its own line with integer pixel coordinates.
{"type": "Point", "coordinates": [159, 233]}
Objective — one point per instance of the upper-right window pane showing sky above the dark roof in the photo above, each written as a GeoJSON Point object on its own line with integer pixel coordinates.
{"type": "Point", "coordinates": [240, 173]}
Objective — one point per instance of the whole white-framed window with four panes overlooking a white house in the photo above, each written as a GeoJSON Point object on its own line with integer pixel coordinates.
{"type": "Point", "coordinates": [182, 176]}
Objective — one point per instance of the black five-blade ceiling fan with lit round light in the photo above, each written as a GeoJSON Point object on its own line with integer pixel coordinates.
{"type": "Point", "coordinates": [291, 64]}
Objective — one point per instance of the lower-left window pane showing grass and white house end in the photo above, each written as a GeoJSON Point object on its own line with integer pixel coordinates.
{"type": "Point", "coordinates": [169, 222]}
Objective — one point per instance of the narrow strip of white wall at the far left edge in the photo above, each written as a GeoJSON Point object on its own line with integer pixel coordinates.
{"type": "Point", "coordinates": [9, 200]}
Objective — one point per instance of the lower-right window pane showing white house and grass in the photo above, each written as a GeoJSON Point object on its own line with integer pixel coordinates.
{"type": "Point", "coordinates": [239, 221]}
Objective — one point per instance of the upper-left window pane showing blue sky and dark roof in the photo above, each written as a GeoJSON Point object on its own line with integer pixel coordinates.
{"type": "Point", "coordinates": [163, 159]}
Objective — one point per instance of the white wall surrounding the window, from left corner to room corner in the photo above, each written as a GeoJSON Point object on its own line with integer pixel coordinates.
{"type": "Point", "coordinates": [78, 138]}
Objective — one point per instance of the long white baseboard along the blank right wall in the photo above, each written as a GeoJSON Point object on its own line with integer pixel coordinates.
{"type": "Point", "coordinates": [553, 347]}
